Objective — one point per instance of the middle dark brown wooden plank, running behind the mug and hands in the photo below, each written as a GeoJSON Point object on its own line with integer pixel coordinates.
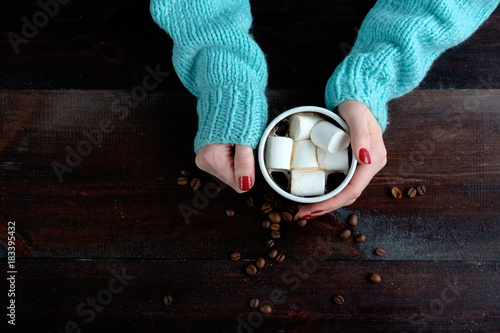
{"type": "Point", "coordinates": [122, 200]}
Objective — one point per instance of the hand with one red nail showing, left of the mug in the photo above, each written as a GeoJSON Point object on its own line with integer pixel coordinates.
{"type": "Point", "coordinates": [233, 164]}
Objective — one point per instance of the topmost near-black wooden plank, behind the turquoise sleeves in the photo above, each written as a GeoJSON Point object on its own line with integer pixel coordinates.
{"type": "Point", "coordinates": [107, 45]}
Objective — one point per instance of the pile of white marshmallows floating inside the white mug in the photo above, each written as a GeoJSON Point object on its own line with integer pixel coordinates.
{"type": "Point", "coordinates": [313, 149]}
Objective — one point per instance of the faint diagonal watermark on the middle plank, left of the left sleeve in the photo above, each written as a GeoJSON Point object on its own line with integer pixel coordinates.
{"type": "Point", "coordinates": [120, 109]}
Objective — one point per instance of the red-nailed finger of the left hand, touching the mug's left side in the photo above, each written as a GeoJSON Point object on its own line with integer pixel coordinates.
{"type": "Point", "coordinates": [244, 167]}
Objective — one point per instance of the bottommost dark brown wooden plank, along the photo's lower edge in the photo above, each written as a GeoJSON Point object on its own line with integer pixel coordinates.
{"type": "Point", "coordinates": [413, 296]}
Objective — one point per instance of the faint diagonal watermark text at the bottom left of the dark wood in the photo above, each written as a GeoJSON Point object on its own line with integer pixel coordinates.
{"type": "Point", "coordinates": [88, 308]}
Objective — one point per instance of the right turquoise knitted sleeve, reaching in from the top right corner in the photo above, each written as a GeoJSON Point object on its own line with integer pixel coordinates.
{"type": "Point", "coordinates": [396, 45]}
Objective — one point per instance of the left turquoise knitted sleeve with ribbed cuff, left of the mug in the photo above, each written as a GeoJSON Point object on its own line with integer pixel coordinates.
{"type": "Point", "coordinates": [218, 61]}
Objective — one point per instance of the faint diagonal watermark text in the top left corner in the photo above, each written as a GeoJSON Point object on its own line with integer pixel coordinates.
{"type": "Point", "coordinates": [40, 19]}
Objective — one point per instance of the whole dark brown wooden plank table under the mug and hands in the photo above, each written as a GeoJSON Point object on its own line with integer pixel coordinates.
{"type": "Point", "coordinates": [99, 246]}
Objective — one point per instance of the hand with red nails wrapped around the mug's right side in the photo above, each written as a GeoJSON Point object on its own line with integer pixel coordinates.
{"type": "Point", "coordinates": [369, 150]}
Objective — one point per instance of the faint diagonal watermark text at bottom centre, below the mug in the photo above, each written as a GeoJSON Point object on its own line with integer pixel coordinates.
{"type": "Point", "coordinates": [292, 277]}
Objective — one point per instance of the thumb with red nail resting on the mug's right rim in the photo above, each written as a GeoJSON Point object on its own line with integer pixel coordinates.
{"type": "Point", "coordinates": [355, 115]}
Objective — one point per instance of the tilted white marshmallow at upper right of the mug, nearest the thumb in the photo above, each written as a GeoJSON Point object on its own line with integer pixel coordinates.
{"type": "Point", "coordinates": [329, 137]}
